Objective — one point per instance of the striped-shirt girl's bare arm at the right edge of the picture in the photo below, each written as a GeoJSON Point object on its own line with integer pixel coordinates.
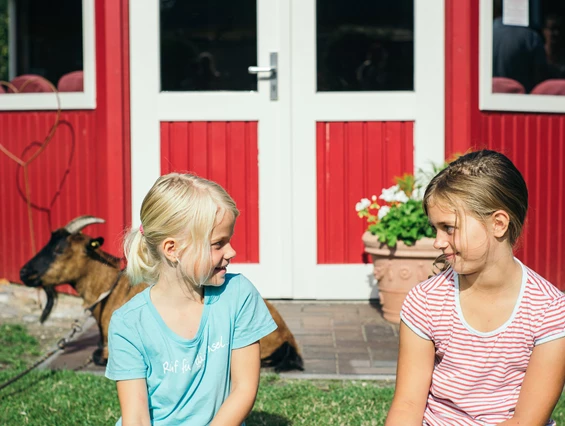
{"type": "Point", "coordinates": [542, 385]}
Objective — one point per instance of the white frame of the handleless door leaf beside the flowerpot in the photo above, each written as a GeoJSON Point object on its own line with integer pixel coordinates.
{"type": "Point", "coordinates": [425, 106]}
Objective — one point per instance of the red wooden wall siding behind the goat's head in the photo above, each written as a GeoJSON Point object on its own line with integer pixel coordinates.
{"type": "Point", "coordinates": [92, 146]}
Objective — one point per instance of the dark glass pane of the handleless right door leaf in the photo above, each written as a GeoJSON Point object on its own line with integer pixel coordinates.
{"type": "Point", "coordinates": [365, 45]}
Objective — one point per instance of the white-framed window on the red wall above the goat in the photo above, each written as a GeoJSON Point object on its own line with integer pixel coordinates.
{"type": "Point", "coordinates": [43, 48]}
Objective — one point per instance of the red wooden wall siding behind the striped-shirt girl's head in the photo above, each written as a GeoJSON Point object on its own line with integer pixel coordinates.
{"type": "Point", "coordinates": [533, 141]}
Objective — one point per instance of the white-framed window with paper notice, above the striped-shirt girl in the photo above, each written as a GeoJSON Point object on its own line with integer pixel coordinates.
{"type": "Point", "coordinates": [522, 55]}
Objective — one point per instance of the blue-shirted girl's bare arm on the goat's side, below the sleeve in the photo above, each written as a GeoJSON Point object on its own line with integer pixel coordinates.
{"type": "Point", "coordinates": [133, 402]}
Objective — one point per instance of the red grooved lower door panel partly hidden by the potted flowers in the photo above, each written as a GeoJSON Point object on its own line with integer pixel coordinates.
{"type": "Point", "coordinates": [355, 160]}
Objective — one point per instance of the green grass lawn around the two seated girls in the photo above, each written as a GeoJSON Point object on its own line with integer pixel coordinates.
{"type": "Point", "coordinates": [65, 398]}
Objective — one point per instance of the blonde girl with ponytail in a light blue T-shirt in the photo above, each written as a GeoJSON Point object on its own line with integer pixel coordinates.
{"type": "Point", "coordinates": [185, 351]}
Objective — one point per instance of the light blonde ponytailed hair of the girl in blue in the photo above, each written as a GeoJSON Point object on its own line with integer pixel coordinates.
{"type": "Point", "coordinates": [182, 206]}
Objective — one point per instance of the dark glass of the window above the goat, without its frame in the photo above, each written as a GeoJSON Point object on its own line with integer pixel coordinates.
{"type": "Point", "coordinates": [42, 42]}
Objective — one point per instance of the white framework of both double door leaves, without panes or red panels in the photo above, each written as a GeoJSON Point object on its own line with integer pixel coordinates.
{"type": "Point", "coordinates": [288, 266]}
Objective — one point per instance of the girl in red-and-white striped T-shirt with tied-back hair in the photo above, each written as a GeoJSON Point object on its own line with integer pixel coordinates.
{"type": "Point", "coordinates": [482, 342]}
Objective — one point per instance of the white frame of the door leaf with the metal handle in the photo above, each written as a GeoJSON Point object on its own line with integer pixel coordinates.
{"type": "Point", "coordinates": [149, 107]}
